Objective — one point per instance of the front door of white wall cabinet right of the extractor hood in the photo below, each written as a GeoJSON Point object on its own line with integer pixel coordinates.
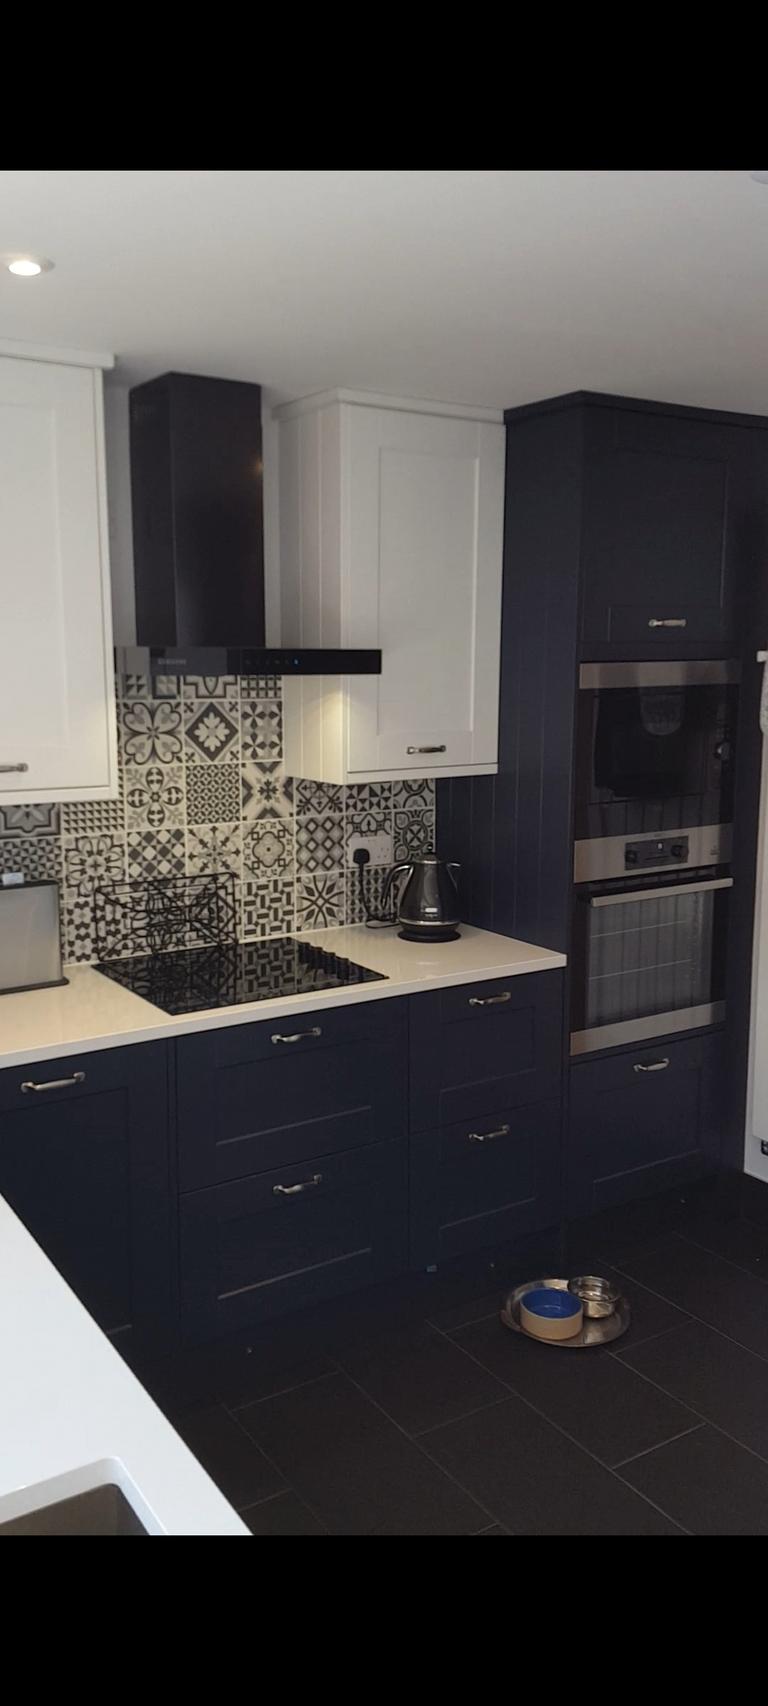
{"type": "Point", "coordinates": [426, 545]}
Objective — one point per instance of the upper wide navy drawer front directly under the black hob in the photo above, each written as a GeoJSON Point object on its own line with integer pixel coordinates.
{"type": "Point", "coordinates": [248, 1105]}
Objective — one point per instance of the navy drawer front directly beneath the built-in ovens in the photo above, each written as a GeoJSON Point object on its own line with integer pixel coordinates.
{"type": "Point", "coordinates": [643, 1122]}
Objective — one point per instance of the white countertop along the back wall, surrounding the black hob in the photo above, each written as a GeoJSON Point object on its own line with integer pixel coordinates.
{"type": "Point", "coordinates": [93, 1013]}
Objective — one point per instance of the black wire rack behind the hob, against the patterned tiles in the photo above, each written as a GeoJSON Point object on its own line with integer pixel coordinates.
{"type": "Point", "coordinates": [165, 915]}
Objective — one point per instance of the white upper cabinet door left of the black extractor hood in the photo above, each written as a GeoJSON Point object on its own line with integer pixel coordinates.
{"type": "Point", "coordinates": [57, 678]}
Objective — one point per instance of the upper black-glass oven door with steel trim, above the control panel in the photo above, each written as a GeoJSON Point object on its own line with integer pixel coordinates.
{"type": "Point", "coordinates": [655, 760]}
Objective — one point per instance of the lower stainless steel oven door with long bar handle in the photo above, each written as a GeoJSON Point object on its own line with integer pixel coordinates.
{"type": "Point", "coordinates": [648, 961]}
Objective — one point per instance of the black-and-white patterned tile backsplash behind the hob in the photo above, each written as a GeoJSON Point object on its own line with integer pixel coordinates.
{"type": "Point", "coordinates": [204, 791]}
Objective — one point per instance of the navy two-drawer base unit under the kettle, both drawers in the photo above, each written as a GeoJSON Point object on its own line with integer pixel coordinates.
{"type": "Point", "coordinates": [486, 1115]}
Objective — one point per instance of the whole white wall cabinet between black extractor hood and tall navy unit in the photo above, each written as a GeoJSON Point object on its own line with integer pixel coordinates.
{"type": "Point", "coordinates": [392, 537]}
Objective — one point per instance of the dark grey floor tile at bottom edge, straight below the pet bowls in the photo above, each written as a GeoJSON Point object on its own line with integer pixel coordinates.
{"type": "Point", "coordinates": [535, 1480]}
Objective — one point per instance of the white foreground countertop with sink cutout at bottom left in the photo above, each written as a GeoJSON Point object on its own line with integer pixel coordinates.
{"type": "Point", "coordinates": [74, 1417]}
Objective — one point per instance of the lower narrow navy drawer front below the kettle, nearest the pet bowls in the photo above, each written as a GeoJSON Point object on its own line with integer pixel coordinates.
{"type": "Point", "coordinates": [484, 1181]}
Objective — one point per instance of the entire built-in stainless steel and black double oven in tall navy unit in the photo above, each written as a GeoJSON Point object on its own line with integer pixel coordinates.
{"type": "Point", "coordinates": [655, 794]}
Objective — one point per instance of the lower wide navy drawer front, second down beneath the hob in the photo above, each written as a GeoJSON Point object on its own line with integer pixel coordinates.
{"type": "Point", "coordinates": [259, 1248]}
